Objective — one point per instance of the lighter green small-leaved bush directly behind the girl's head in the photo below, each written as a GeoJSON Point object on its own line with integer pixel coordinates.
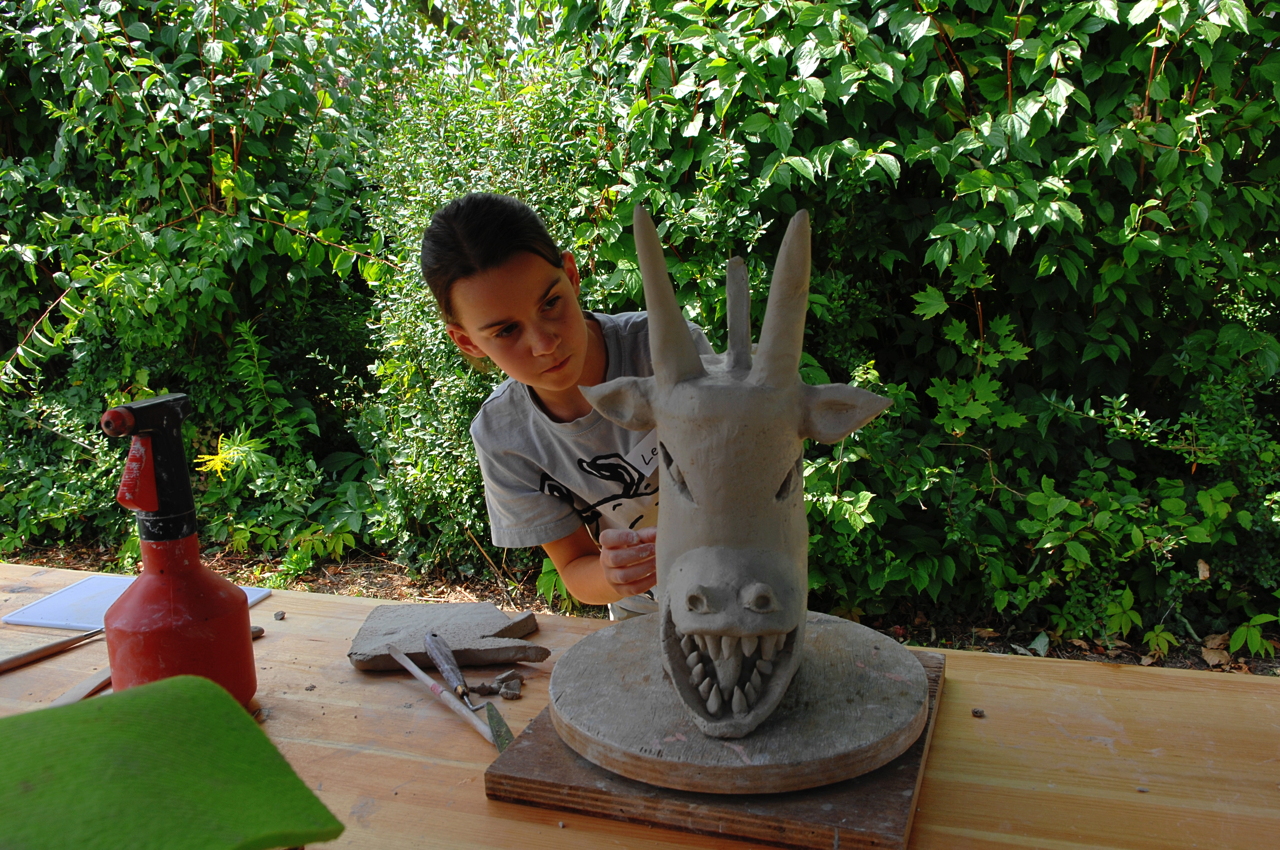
{"type": "Point", "coordinates": [545, 127]}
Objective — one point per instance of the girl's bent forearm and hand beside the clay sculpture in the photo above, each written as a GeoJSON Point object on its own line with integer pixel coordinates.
{"type": "Point", "coordinates": [596, 577]}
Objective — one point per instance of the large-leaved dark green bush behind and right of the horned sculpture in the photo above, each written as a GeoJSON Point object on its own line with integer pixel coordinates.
{"type": "Point", "coordinates": [1049, 234]}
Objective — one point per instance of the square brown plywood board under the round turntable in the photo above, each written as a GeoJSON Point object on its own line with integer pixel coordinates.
{"type": "Point", "coordinates": [871, 811]}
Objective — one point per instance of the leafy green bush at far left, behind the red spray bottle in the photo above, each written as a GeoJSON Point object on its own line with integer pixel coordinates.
{"type": "Point", "coordinates": [181, 209]}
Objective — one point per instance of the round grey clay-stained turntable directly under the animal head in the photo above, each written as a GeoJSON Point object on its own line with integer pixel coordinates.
{"type": "Point", "coordinates": [858, 701]}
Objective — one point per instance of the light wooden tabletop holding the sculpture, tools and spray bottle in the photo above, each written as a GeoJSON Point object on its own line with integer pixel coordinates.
{"type": "Point", "coordinates": [1071, 755]}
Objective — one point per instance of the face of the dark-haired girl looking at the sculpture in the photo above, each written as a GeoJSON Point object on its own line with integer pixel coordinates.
{"type": "Point", "coordinates": [524, 316]}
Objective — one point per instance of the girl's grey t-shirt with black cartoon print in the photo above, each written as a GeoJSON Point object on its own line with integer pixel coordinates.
{"type": "Point", "coordinates": [545, 479]}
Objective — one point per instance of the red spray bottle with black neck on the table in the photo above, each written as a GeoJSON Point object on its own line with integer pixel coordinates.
{"type": "Point", "coordinates": [179, 618]}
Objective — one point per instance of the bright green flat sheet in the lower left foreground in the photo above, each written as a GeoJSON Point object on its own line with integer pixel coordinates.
{"type": "Point", "coordinates": [176, 765]}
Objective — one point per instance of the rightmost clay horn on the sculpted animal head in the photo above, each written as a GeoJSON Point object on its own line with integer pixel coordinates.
{"type": "Point", "coordinates": [778, 358]}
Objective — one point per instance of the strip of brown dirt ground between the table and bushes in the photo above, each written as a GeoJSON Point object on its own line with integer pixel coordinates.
{"type": "Point", "coordinates": [373, 577]}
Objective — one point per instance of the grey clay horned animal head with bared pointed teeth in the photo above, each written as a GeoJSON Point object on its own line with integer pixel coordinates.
{"type": "Point", "coordinates": [733, 541]}
